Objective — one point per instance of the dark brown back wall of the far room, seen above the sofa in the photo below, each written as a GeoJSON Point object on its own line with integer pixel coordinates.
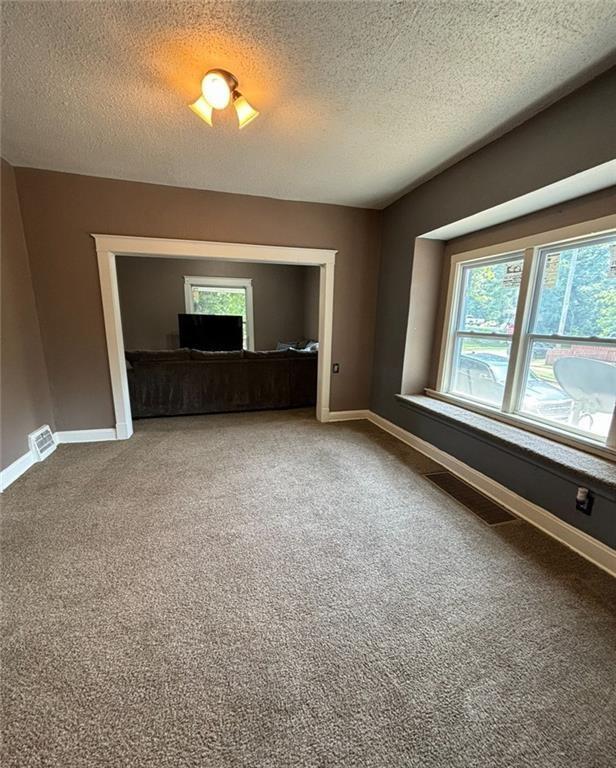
{"type": "Point", "coordinates": [152, 295]}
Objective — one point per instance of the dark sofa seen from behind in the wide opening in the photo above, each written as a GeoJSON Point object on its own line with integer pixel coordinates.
{"type": "Point", "coordinates": [183, 381]}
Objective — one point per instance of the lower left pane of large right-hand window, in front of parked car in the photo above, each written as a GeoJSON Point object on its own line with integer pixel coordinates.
{"type": "Point", "coordinates": [480, 369]}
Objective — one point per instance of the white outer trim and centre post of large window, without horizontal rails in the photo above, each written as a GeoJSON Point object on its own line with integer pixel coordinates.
{"type": "Point", "coordinates": [519, 339]}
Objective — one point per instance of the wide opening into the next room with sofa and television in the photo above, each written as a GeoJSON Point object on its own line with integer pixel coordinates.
{"type": "Point", "coordinates": [206, 336]}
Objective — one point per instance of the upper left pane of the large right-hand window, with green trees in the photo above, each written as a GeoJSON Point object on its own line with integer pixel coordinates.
{"type": "Point", "coordinates": [489, 296]}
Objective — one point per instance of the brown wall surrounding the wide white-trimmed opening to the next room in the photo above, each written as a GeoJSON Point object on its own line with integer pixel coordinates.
{"type": "Point", "coordinates": [60, 211]}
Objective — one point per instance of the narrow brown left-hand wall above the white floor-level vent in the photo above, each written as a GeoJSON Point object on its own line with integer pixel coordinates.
{"type": "Point", "coordinates": [25, 399]}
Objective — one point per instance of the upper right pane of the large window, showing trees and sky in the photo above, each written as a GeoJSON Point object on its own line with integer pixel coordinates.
{"type": "Point", "coordinates": [577, 290]}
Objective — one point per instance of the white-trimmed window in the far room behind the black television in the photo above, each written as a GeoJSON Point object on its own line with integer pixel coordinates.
{"type": "Point", "coordinates": [222, 296]}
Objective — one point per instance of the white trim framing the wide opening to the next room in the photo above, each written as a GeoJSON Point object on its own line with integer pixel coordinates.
{"type": "Point", "coordinates": [110, 246]}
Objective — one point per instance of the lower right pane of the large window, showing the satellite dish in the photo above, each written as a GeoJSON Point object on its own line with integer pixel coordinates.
{"type": "Point", "coordinates": [571, 385]}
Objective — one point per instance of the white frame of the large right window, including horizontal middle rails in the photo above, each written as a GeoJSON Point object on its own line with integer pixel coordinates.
{"type": "Point", "coordinates": [532, 249]}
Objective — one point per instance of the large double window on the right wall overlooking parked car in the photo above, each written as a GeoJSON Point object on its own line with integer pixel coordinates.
{"type": "Point", "coordinates": [531, 334]}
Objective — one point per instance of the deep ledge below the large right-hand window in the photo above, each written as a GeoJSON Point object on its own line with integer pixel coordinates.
{"type": "Point", "coordinates": [586, 468]}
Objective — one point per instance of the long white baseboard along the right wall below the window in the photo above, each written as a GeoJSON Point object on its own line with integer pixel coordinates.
{"type": "Point", "coordinates": [598, 553]}
